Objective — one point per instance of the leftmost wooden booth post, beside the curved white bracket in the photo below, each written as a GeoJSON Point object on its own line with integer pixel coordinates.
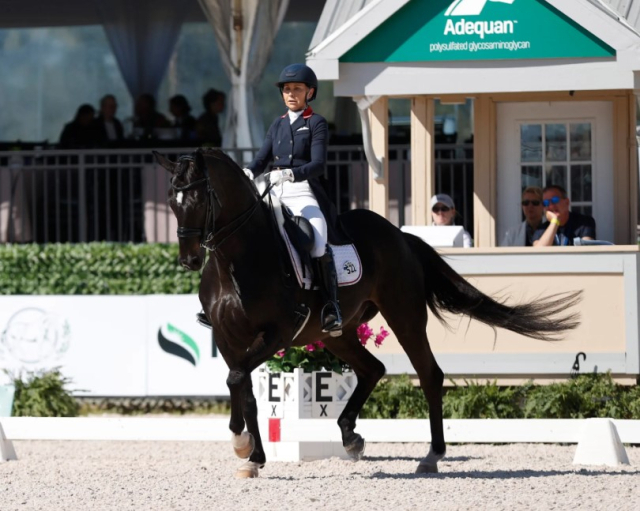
{"type": "Point", "coordinates": [379, 188]}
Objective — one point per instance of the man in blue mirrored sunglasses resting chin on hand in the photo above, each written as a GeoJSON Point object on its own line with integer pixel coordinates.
{"type": "Point", "coordinates": [564, 225]}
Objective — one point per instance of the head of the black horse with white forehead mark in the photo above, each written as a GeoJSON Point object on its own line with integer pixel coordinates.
{"type": "Point", "coordinates": [190, 202]}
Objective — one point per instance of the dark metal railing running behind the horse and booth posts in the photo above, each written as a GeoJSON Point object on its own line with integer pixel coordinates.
{"type": "Point", "coordinates": [120, 194]}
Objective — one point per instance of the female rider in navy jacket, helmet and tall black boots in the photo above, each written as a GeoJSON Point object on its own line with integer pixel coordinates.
{"type": "Point", "coordinates": [297, 145]}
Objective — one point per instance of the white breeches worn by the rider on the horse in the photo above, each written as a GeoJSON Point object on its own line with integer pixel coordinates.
{"type": "Point", "coordinates": [299, 198]}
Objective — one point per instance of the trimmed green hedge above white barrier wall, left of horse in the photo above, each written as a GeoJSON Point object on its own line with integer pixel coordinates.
{"type": "Point", "coordinates": [94, 269]}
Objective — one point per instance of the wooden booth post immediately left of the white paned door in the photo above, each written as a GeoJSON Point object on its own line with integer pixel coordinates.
{"type": "Point", "coordinates": [484, 172]}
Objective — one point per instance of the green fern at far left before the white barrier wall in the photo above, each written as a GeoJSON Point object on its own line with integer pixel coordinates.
{"type": "Point", "coordinates": [44, 395]}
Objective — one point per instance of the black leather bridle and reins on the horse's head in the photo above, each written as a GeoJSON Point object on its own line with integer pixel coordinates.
{"type": "Point", "coordinates": [207, 242]}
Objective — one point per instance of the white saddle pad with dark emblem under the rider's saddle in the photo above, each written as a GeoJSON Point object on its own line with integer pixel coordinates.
{"type": "Point", "coordinates": [347, 260]}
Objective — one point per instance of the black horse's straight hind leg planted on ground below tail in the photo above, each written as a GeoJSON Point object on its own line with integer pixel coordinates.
{"type": "Point", "coordinates": [409, 324]}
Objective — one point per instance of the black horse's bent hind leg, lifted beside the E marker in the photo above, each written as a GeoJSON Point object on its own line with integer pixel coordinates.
{"type": "Point", "coordinates": [369, 370]}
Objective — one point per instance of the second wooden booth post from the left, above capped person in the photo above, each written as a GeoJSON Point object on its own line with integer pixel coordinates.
{"type": "Point", "coordinates": [423, 177]}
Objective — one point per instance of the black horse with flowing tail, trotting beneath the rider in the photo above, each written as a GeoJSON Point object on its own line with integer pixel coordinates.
{"type": "Point", "coordinates": [250, 298]}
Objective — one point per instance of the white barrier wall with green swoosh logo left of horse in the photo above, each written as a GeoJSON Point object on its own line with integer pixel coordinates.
{"type": "Point", "coordinates": [113, 345]}
